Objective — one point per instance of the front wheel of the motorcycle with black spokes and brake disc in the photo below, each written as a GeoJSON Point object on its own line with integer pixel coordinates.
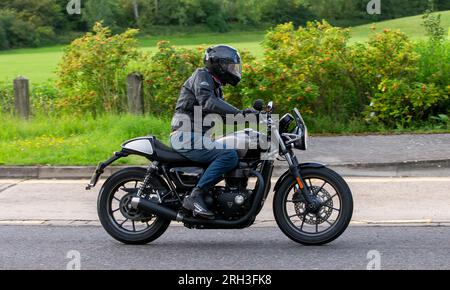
{"type": "Point", "coordinates": [323, 225]}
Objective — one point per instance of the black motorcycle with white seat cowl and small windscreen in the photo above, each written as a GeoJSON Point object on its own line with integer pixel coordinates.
{"type": "Point", "coordinates": [312, 204]}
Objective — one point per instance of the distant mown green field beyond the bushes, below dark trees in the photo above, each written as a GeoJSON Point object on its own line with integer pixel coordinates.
{"type": "Point", "coordinates": [39, 64]}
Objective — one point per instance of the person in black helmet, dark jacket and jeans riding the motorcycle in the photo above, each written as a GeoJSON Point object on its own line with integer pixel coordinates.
{"type": "Point", "coordinates": [204, 89]}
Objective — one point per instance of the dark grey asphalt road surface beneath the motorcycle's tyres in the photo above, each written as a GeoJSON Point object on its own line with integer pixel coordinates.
{"type": "Point", "coordinates": [55, 247]}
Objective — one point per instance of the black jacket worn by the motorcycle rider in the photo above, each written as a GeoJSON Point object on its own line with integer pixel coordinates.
{"type": "Point", "coordinates": [202, 90]}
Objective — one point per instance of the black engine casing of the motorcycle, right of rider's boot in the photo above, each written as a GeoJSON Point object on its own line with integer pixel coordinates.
{"type": "Point", "coordinates": [232, 201]}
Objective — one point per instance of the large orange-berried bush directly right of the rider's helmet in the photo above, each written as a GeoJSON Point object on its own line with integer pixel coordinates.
{"type": "Point", "coordinates": [315, 63]}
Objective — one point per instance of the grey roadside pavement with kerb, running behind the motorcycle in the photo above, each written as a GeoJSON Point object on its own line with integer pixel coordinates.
{"type": "Point", "coordinates": [374, 155]}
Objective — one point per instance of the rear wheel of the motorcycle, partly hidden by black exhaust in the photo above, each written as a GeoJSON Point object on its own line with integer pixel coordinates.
{"type": "Point", "coordinates": [118, 218]}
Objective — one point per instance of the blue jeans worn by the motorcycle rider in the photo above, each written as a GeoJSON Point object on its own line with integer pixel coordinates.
{"type": "Point", "coordinates": [221, 160]}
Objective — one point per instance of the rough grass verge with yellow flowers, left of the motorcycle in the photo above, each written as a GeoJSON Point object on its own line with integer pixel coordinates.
{"type": "Point", "coordinates": [70, 141]}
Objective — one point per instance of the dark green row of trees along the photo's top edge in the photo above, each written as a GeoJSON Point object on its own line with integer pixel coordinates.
{"type": "Point", "coordinates": [28, 23]}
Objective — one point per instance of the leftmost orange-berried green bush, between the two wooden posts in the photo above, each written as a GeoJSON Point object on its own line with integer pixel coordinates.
{"type": "Point", "coordinates": [92, 71]}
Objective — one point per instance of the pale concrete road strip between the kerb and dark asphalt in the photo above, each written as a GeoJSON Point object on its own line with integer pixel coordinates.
{"type": "Point", "coordinates": [376, 200]}
